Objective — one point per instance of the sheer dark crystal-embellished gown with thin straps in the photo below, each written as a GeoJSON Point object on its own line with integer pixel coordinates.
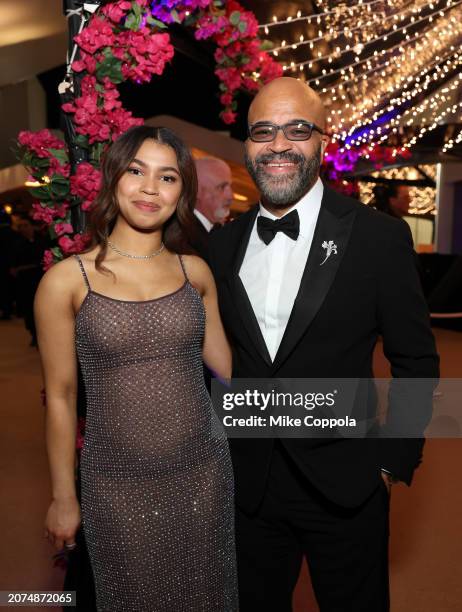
{"type": "Point", "coordinates": [157, 482]}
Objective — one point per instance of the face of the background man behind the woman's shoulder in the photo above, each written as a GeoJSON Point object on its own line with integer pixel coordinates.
{"type": "Point", "coordinates": [215, 193]}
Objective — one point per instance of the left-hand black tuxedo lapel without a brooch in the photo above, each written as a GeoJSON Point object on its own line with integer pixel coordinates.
{"type": "Point", "coordinates": [243, 305]}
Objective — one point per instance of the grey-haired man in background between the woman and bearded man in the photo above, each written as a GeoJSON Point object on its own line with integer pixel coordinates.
{"type": "Point", "coordinates": [214, 198]}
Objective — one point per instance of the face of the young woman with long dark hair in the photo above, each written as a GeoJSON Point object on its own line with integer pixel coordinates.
{"type": "Point", "coordinates": [149, 190]}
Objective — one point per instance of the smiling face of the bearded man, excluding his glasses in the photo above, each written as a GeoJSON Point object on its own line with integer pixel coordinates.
{"type": "Point", "coordinates": [284, 170]}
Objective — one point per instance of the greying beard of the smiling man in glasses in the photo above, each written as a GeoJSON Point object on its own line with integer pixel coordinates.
{"type": "Point", "coordinates": [284, 190]}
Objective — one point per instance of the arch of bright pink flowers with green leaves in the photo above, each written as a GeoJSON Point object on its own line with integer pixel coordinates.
{"type": "Point", "coordinates": [129, 40]}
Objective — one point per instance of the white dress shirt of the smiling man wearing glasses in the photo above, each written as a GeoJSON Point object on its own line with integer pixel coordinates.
{"type": "Point", "coordinates": [271, 273]}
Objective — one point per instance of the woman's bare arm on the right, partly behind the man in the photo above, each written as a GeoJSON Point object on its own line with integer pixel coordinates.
{"type": "Point", "coordinates": [216, 352]}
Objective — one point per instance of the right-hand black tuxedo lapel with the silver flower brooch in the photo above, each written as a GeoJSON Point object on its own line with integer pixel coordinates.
{"type": "Point", "coordinates": [334, 225]}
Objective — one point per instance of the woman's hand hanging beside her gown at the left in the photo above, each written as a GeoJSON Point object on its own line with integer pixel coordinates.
{"type": "Point", "coordinates": [62, 522]}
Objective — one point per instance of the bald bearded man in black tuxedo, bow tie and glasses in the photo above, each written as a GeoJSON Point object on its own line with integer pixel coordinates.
{"type": "Point", "coordinates": [292, 310]}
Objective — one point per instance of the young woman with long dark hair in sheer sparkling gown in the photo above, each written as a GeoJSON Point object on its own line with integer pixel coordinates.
{"type": "Point", "coordinates": [139, 317]}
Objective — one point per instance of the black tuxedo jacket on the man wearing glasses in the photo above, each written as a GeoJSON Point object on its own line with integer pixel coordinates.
{"type": "Point", "coordinates": [370, 288]}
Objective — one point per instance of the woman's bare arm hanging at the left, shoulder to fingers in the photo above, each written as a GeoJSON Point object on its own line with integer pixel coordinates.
{"type": "Point", "coordinates": [55, 319]}
